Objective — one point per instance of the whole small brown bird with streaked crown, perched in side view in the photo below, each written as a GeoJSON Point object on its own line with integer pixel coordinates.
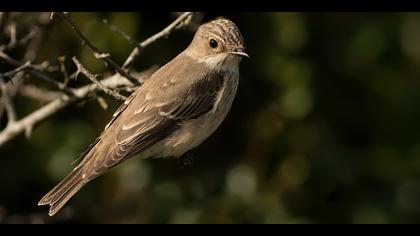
{"type": "Point", "coordinates": [171, 113]}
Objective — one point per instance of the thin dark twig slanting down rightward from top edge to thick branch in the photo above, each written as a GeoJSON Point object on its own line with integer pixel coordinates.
{"type": "Point", "coordinates": [96, 52]}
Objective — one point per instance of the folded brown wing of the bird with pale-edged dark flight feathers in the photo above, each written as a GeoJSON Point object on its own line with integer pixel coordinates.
{"type": "Point", "coordinates": [154, 120]}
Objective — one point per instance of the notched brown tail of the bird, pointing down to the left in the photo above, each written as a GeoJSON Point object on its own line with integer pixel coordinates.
{"type": "Point", "coordinates": [63, 191]}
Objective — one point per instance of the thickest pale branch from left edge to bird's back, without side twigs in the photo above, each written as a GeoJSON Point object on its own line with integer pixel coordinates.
{"type": "Point", "coordinates": [27, 123]}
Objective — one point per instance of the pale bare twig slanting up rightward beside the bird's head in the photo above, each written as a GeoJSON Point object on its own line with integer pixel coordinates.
{"type": "Point", "coordinates": [177, 24]}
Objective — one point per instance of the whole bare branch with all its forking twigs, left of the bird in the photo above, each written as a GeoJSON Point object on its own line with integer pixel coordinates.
{"type": "Point", "coordinates": [72, 96]}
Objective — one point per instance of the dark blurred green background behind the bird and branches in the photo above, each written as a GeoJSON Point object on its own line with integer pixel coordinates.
{"type": "Point", "coordinates": [324, 128]}
